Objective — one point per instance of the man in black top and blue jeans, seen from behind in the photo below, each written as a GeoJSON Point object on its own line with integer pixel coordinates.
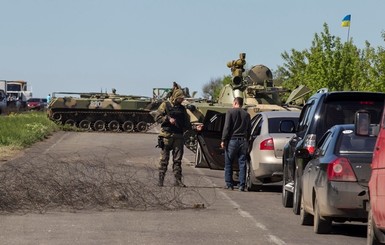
{"type": "Point", "coordinates": [235, 142]}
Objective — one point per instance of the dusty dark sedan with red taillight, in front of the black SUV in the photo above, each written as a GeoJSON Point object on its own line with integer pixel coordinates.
{"type": "Point", "coordinates": [335, 181]}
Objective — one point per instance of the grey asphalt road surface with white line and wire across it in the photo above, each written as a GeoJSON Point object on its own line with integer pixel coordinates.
{"type": "Point", "coordinates": [202, 213]}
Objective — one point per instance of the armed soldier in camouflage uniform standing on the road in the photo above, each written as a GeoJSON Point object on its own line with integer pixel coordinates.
{"type": "Point", "coordinates": [172, 135]}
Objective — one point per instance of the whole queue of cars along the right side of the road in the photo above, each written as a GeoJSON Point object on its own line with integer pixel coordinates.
{"type": "Point", "coordinates": [327, 158]}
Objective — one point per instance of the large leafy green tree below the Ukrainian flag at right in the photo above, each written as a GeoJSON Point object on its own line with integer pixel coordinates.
{"type": "Point", "coordinates": [334, 65]}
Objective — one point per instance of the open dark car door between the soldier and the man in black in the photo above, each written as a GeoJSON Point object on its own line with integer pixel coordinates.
{"type": "Point", "coordinates": [210, 139]}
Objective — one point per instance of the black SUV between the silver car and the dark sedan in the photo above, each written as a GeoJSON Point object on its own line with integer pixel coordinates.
{"type": "Point", "coordinates": [321, 111]}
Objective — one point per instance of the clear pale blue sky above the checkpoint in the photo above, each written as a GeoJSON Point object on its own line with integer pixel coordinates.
{"type": "Point", "coordinates": [136, 45]}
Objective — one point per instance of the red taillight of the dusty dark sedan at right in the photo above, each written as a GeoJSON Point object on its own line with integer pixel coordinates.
{"type": "Point", "coordinates": [341, 170]}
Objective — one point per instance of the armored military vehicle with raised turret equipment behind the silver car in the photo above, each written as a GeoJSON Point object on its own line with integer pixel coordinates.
{"type": "Point", "coordinates": [257, 88]}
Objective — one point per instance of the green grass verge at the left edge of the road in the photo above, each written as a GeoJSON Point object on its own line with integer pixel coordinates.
{"type": "Point", "coordinates": [24, 129]}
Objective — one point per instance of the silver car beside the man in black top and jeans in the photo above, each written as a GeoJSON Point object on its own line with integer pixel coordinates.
{"type": "Point", "coordinates": [271, 130]}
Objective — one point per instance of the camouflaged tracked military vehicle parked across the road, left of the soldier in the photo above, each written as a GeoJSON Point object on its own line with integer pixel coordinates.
{"type": "Point", "coordinates": [101, 111]}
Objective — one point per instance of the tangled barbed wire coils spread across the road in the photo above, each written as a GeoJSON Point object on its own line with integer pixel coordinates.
{"type": "Point", "coordinates": [49, 182]}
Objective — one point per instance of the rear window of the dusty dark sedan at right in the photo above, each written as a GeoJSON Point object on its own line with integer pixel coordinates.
{"type": "Point", "coordinates": [352, 143]}
